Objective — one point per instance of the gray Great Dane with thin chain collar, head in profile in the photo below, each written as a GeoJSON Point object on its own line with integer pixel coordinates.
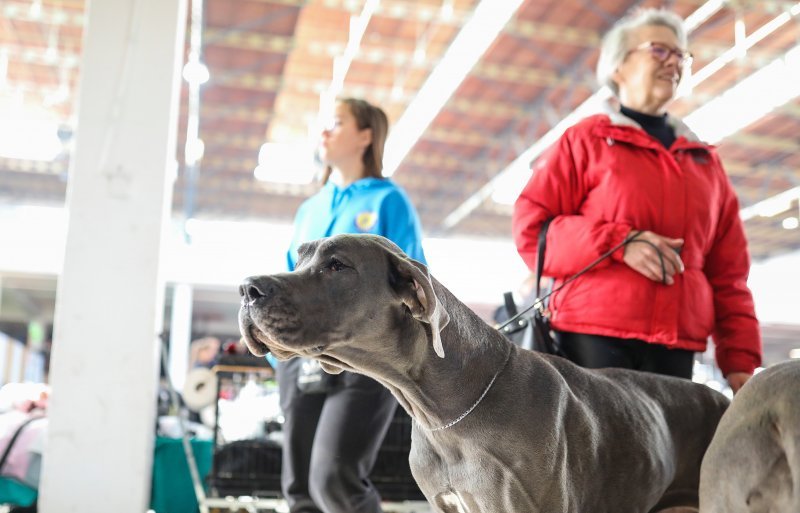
{"type": "Point", "coordinates": [496, 428]}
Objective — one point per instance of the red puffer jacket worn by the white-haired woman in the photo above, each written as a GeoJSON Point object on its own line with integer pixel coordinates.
{"type": "Point", "coordinates": [606, 176]}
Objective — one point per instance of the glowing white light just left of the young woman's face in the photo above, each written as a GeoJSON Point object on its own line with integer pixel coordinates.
{"type": "Point", "coordinates": [291, 163]}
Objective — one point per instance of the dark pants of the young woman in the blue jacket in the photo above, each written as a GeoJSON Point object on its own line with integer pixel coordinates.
{"type": "Point", "coordinates": [331, 442]}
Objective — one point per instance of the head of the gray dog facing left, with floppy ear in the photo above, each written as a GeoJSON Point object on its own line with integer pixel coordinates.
{"type": "Point", "coordinates": [347, 290]}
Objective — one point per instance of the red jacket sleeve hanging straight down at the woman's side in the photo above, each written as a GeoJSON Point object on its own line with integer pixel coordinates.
{"type": "Point", "coordinates": [737, 336]}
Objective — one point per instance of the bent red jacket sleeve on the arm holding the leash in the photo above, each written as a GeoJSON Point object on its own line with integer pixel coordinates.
{"type": "Point", "coordinates": [556, 190]}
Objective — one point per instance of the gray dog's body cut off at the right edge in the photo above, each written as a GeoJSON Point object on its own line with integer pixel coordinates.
{"type": "Point", "coordinates": [753, 462]}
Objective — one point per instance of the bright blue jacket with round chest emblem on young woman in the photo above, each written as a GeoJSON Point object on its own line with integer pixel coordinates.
{"type": "Point", "coordinates": [369, 205]}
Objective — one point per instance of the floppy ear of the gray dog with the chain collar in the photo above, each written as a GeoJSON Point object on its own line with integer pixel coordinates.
{"type": "Point", "coordinates": [413, 283]}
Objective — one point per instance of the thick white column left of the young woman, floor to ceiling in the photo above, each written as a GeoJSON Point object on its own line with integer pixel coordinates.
{"type": "Point", "coordinates": [105, 358]}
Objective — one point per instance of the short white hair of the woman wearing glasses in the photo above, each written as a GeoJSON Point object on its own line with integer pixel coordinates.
{"type": "Point", "coordinates": [614, 47]}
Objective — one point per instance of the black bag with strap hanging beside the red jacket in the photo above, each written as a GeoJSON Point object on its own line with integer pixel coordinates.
{"type": "Point", "coordinates": [533, 331]}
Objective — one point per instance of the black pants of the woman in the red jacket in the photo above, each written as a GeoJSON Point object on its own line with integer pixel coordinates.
{"type": "Point", "coordinates": [597, 351]}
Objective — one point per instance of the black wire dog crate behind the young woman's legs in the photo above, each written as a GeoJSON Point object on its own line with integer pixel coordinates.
{"type": "Point", "coordinates": [247, 462]}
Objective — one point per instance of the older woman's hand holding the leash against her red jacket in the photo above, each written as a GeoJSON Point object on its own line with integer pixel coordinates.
{"type": "Point", "coordinates": [644, 258]}
